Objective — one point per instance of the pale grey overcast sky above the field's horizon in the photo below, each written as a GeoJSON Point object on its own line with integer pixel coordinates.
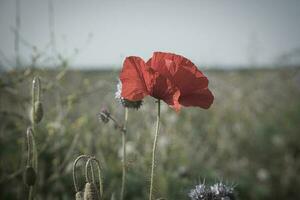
{"type": "Point", "coordinates": [226, 32]}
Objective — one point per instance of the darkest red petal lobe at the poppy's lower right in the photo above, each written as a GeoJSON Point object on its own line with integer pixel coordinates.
{"type": "Point", "coordinates": [202, 98]}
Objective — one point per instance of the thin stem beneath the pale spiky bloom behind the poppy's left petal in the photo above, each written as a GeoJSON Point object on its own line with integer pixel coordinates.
{"type": "Point", "coordinates": [124, 130]}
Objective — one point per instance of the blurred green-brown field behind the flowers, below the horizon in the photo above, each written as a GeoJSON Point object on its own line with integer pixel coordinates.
{"type": "Point", "coordinates": [249, 137]}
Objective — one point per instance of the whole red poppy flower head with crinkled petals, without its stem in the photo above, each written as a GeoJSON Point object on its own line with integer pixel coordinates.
{"type": "Point", "coordinates": [166, 76]}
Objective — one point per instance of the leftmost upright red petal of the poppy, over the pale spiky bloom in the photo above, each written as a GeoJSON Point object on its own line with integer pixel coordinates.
{"type": "Point", "coordinates": [133, 77]}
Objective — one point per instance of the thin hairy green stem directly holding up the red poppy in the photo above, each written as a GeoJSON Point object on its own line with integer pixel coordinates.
{"type": "Point", "coordinates": [154, 149]}
